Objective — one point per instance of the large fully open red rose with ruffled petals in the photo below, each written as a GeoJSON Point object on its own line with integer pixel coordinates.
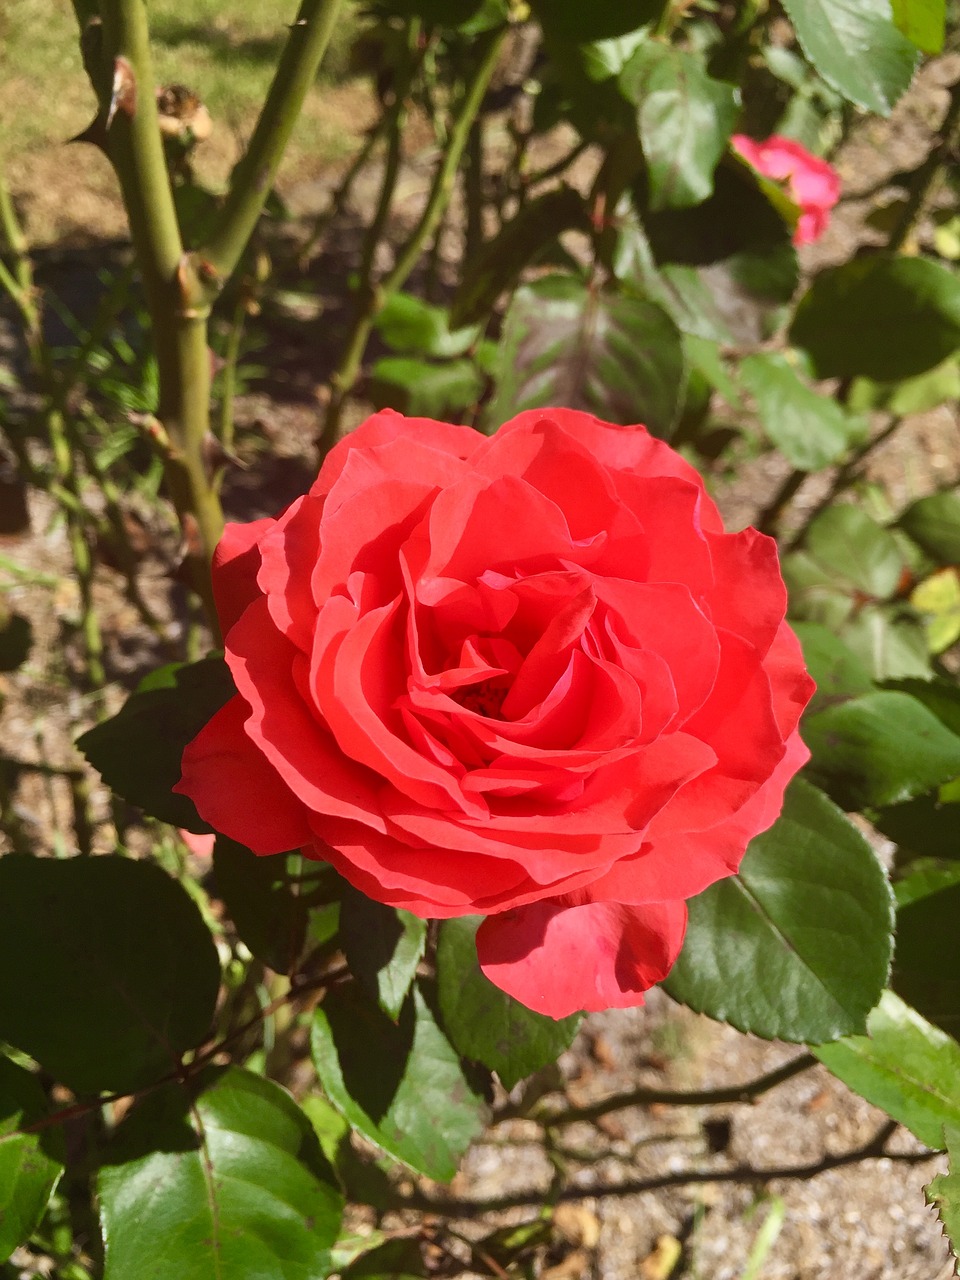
{"type": "Point", "coordinates": [525, 676]}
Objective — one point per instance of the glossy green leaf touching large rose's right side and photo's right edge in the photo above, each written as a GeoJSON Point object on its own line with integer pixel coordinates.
{"type": "Point", "coordinates": [880, 749]}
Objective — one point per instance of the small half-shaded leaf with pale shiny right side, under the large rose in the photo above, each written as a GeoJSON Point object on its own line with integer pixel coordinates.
{"type": "Point", "coordinates": [383, 948]}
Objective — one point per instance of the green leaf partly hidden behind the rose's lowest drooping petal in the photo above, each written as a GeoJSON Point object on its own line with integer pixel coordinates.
{"type": "Point", "coordinates": [487, 1025]}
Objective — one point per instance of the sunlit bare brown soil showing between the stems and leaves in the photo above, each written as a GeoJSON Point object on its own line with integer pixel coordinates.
{"type": "Point", "coordinates": [865, 1222]}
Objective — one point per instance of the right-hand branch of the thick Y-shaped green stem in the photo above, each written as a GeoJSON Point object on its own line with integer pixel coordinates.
{"type": "Point", "coordinates": [257, 172]}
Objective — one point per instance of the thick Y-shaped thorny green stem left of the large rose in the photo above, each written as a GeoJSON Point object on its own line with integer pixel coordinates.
{"type": "Point", "coordinates": [182, 287]}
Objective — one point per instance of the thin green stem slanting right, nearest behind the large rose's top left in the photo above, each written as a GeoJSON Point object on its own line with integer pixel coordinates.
{"type": "Point", "coordinates": [441, 191]}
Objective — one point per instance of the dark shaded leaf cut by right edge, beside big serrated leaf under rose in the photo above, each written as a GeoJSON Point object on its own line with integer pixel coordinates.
{"type": "Point", "coordinates": [927, 966]}
